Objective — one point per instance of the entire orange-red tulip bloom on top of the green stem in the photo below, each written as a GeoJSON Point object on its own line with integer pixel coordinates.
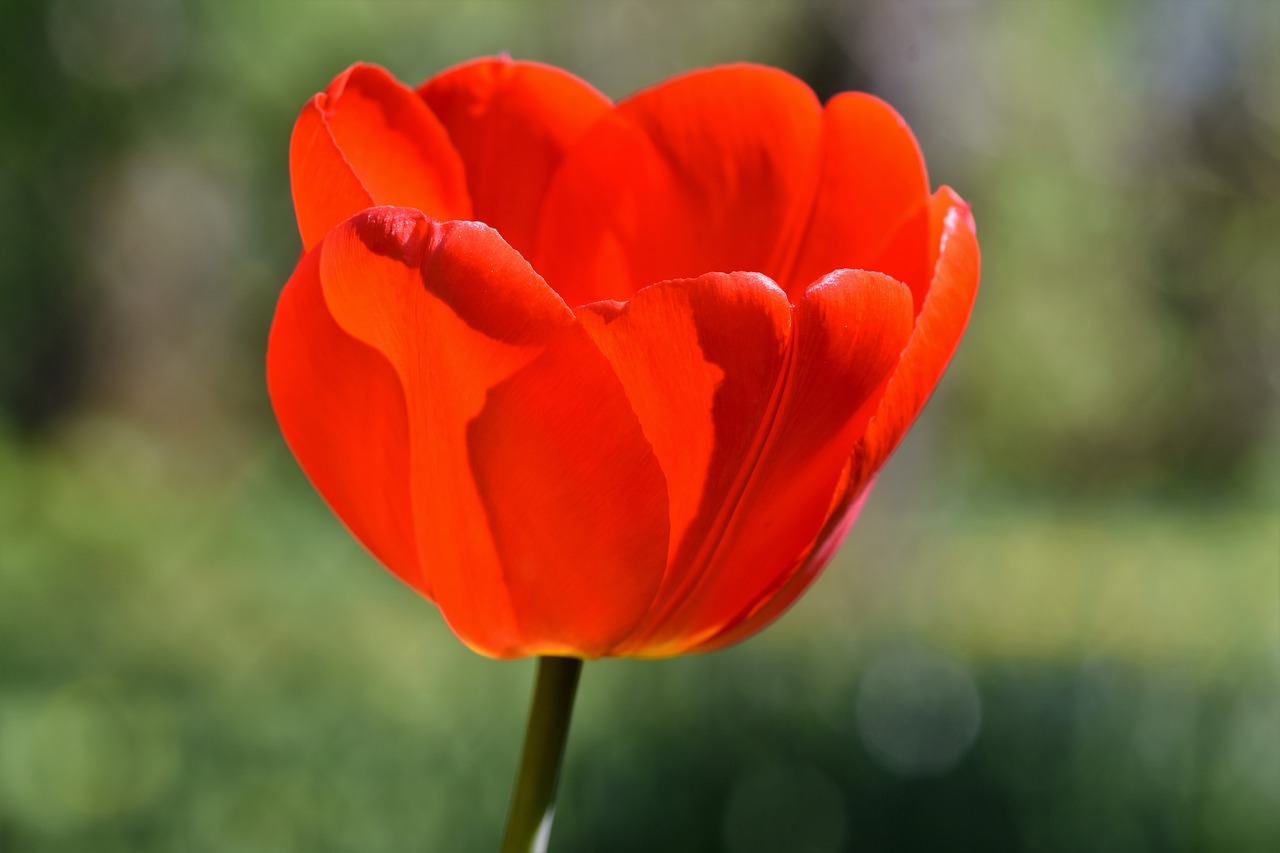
{"type": "Point", "coordinates": [609, 378]}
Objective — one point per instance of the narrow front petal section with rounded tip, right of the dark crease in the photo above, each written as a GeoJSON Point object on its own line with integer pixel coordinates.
{"type": "Point", "coordinates": [848, 335]}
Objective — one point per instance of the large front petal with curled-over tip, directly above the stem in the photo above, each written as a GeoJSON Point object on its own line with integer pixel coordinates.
{"type": "Point", "coordinates": [513, 413]}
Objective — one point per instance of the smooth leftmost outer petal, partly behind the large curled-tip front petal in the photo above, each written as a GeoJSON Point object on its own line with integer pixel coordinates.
{"type": "Point", "coordinates": [342, 413]}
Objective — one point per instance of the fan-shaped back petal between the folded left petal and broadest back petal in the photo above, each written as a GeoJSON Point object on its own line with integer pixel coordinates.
{"type": "Point", "coordinates": [513, 124]}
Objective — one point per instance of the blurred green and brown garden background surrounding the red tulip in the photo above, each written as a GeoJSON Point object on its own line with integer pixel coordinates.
{"type": "Point", "coordinates": [1055, 628]}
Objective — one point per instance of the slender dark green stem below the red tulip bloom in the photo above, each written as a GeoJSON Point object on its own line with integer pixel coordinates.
{"type": "Point", "coordinates": [533, 805]}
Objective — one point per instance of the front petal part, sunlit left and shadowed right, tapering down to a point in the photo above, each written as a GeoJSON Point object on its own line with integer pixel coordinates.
{"type": "Point", "coordinates": [700, 361]}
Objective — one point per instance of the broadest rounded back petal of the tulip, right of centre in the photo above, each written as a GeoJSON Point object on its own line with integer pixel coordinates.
{"type": "Point", "coordinates": [708, 172]}
